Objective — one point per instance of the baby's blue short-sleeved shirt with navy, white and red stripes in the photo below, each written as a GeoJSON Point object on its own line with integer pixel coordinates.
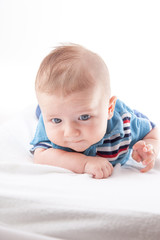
{"type": "Point", "coordinates": [124, 129]}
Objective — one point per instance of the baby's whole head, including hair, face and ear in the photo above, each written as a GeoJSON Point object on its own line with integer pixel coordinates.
{"type": "Point", "coordinates": [73, 91]}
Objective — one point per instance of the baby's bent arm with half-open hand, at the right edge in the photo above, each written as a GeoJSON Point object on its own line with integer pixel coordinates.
{"type": "Point", "coordinates": [147, 150]}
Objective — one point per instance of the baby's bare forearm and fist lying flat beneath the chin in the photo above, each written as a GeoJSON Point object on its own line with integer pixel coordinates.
{"type": "Point", "coordinates": [79, 163]}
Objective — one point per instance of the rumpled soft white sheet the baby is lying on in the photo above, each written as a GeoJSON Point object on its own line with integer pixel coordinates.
{"type": "Point", "coordinates": [57, 203]}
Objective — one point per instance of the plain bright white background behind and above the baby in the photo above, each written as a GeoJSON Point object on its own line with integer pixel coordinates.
{"type": "Point", "coordinates": [124, 32]}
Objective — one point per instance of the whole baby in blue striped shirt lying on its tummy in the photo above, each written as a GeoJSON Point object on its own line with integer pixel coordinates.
{"type": "Point", "coordinates": [81, 127]}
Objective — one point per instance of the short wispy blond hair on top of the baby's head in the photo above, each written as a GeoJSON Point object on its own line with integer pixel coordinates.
{"type": "Point", "coordinates": [71, 68]}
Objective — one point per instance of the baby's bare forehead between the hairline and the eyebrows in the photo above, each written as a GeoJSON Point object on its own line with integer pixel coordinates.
{"type": "Point", "coordinates": [88, 99]}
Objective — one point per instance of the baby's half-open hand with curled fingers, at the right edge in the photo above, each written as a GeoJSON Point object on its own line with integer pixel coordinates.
{"type": "Point", "coordinates": [144, 153]}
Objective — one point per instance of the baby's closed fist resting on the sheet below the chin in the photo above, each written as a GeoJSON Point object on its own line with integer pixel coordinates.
{"type": "Point", "coordinates": [99, 167]}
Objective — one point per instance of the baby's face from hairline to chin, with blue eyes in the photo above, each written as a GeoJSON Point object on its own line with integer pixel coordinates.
{"type": "Point", "coordinates": [76, 121]}
